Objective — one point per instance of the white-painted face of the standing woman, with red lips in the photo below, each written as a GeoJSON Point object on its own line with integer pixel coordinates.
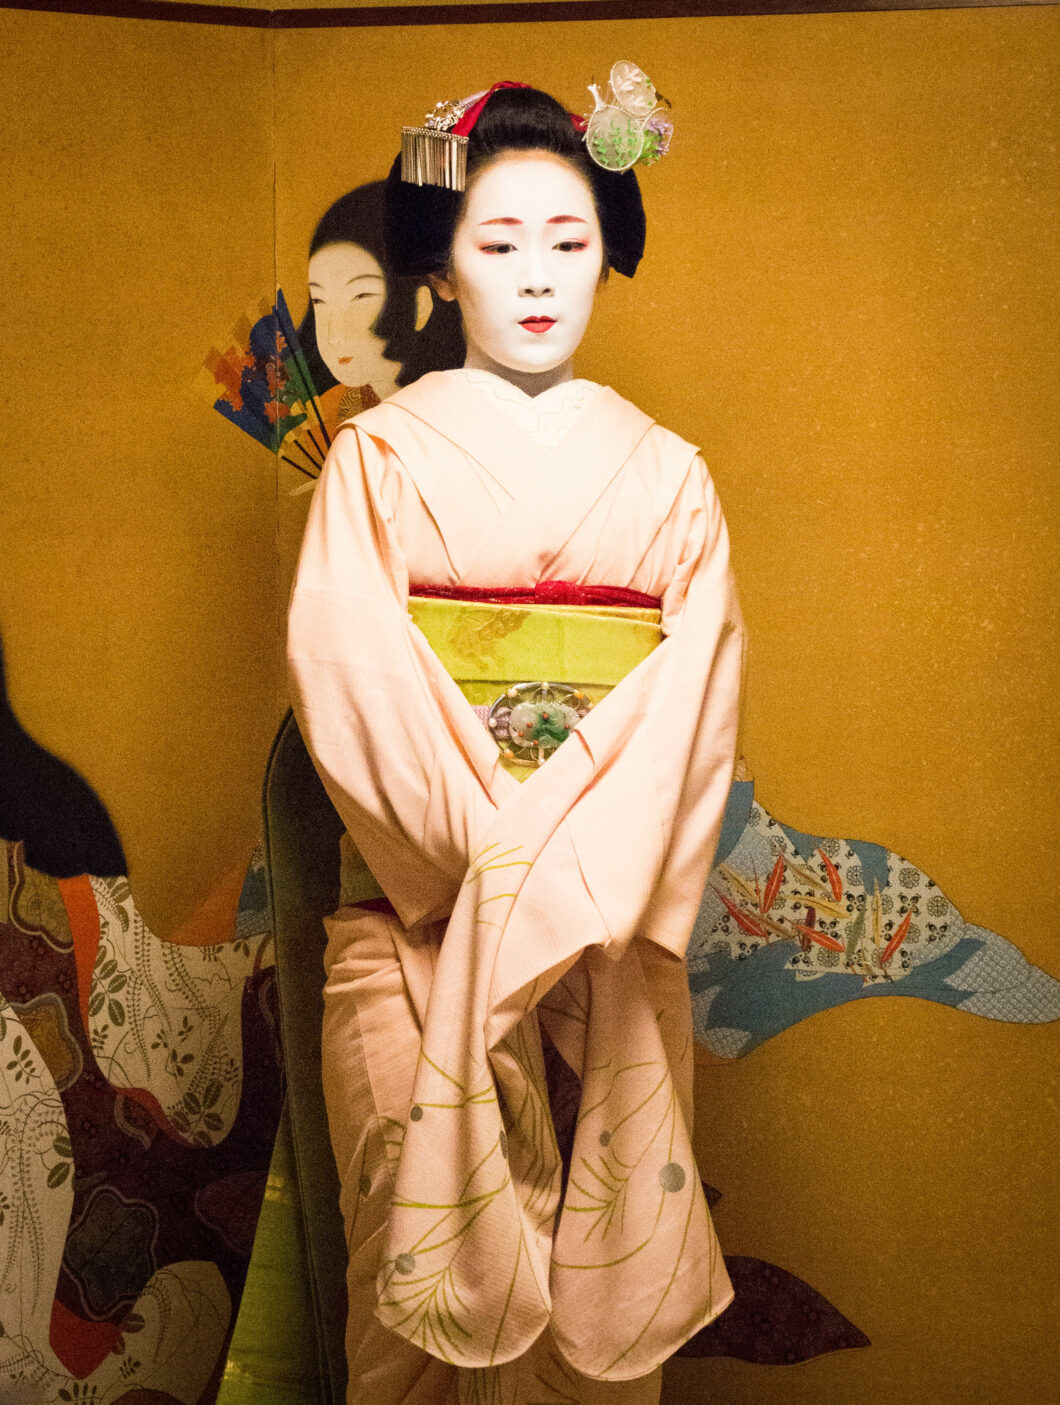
{"type": "Point", "coordinates": [525, 269]}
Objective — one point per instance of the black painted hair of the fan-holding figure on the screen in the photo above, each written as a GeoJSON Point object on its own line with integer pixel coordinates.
{"type": "Point", "coordinates": [358, 218]}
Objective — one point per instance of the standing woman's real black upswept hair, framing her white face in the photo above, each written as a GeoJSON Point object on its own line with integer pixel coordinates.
{"type": "Point", "coordinates": [421, 220]}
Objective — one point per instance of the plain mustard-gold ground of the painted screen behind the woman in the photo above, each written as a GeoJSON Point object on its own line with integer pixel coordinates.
{"type": "Point", "coordinates": [850, 301]}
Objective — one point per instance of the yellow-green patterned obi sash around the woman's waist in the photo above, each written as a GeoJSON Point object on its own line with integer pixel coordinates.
{"type": "Point", "coordinates": [491, 648]}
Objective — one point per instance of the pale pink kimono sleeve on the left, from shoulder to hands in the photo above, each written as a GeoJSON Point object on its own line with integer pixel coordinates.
{"type": "Point", "coordinates": [406, 762]}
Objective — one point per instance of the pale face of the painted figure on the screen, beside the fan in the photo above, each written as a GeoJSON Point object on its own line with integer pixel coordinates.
{"type": "Point", "coordinates": [348, 290]}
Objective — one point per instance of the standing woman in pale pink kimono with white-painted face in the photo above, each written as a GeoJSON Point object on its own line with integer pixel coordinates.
{"type": "Point", "coordinates": [507, 522]}
